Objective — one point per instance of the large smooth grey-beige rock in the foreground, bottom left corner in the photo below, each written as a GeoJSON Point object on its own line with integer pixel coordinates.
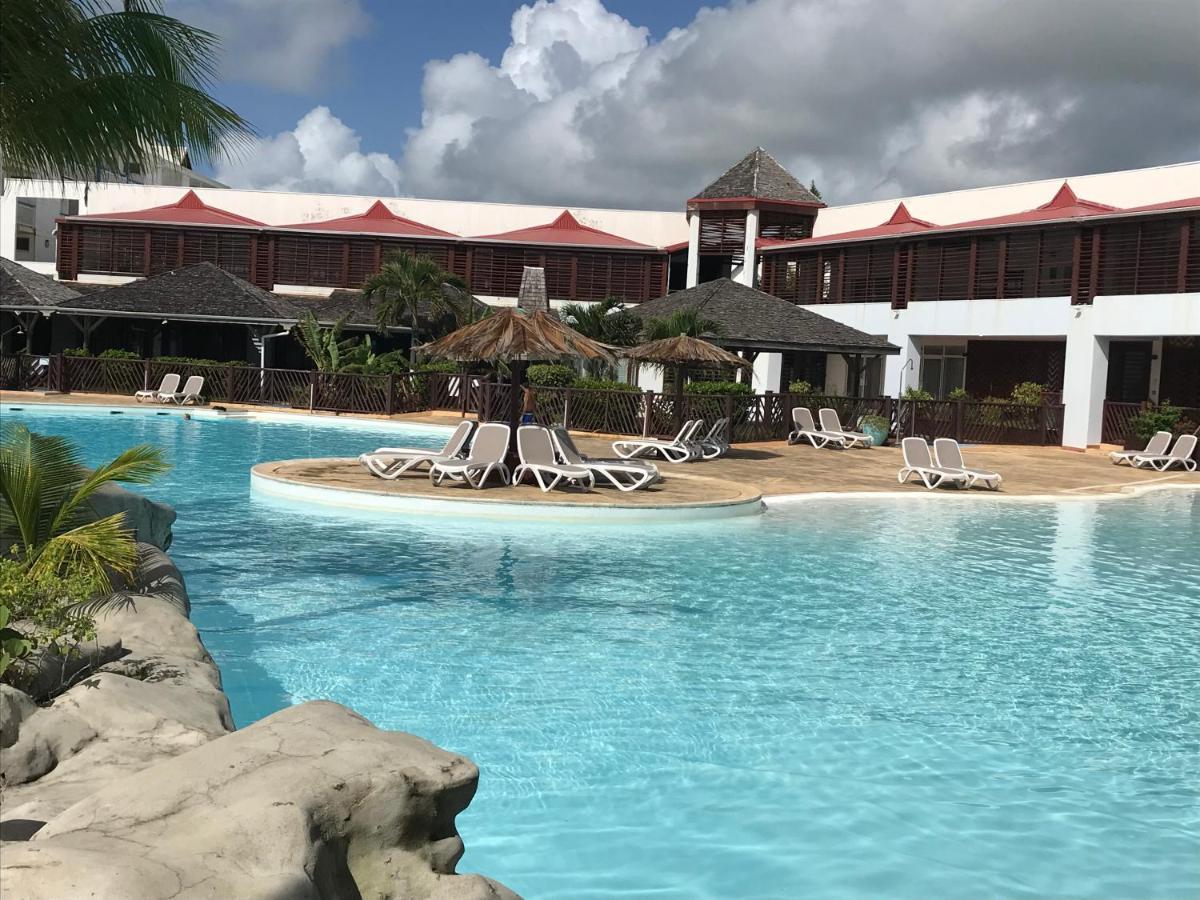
{"type": "Point", "coordinates": [313, 802]}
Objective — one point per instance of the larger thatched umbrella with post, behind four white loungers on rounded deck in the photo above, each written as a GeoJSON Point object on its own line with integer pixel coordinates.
{"type": "Point", "coordinates": [517, 339]}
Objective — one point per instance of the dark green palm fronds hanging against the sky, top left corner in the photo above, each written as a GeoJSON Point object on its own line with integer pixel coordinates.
{"type": "Point", "coordinates": [85, 88]}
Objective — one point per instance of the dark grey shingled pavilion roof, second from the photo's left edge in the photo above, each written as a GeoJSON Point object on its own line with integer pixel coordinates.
{"type": "Point", "coordinates": [201, 293]}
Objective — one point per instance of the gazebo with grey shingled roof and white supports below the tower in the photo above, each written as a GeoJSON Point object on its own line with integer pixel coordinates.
{"type": "Point", "coordinates": [781, 340]}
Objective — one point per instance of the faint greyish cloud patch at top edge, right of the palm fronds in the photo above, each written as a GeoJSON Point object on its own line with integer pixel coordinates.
{"type": "Point", "coordinates": [287, 45]}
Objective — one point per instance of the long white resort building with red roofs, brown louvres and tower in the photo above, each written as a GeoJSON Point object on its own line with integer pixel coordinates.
{"type": "Point", "coordinates": [1088, 285]}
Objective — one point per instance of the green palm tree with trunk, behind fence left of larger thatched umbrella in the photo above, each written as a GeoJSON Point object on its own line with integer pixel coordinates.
{"type": "Point", "coordinates": [410, 285]}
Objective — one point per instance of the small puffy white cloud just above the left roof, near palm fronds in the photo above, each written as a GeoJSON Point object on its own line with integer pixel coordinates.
{"type": "Point", "coordinates": [321, 154]}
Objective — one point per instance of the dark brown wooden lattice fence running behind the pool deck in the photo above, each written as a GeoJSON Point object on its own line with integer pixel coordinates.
{"type": "Point", "coordinates": [763, 417]}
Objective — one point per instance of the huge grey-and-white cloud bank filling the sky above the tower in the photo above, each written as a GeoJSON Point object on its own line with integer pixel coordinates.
{"type": "Point", "coordinates": [869, 99]}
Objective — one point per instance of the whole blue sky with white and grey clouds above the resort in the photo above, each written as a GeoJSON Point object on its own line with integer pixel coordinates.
{"type": "Point", "coordinates": [628, 104]}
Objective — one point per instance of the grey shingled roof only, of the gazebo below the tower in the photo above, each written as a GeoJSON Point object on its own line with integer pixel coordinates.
{"type": "Point", "coordinates": [749, 319]}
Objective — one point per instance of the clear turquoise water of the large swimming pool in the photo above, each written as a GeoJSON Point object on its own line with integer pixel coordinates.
{"type": "Point", "coordinates": [838, 700]}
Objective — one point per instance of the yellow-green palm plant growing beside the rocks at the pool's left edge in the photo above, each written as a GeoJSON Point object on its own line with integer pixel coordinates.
{"type": "Point", "coordinates": [45, 512]}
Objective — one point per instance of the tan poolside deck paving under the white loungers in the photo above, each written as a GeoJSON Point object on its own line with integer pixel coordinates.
{"type": "Point", "coordinates": [771, 470]}
